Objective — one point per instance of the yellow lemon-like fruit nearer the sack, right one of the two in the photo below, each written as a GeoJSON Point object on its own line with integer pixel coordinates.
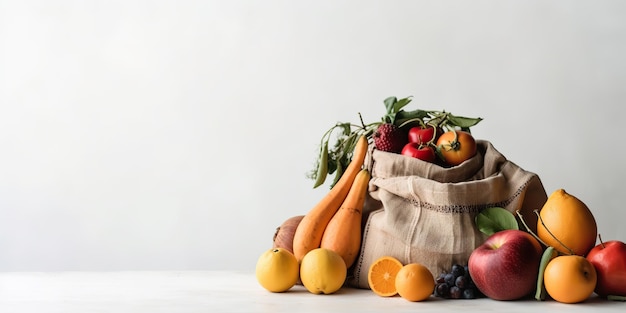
{"type": "Point", "coordinates": [322, 271]}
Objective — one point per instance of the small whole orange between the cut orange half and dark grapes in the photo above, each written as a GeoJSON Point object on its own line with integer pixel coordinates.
{"type": "Point", "coordinates": [415, 282]}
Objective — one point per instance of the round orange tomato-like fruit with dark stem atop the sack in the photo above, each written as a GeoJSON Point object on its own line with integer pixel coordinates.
{"type": "Point", "coordinates": [456, 146]}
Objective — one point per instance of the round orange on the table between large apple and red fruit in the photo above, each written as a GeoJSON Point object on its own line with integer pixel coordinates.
{"type": "Point", "coordinates": [570, 278]}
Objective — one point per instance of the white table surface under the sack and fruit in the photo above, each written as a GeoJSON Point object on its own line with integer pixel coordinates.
{"type": "Point", "coordinates": [224, 291]}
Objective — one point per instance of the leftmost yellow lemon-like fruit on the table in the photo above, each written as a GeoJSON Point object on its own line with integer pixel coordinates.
{"type": "Point", "coordinates": [277, 270]}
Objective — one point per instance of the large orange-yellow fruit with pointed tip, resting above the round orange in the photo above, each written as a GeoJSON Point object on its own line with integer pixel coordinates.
{"type": "Point", "coordinates": [569, 220]}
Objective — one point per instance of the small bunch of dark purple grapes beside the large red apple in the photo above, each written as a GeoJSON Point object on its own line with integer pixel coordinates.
{"type": "Point", "coordinates": [456, 284]}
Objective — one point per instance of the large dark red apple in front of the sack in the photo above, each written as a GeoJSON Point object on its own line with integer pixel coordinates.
{"type": "Point", "coordinates": [506, 265]}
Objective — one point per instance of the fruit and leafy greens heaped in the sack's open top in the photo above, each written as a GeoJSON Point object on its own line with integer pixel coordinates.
{"type": "Point", "coordinates": [438, 137]}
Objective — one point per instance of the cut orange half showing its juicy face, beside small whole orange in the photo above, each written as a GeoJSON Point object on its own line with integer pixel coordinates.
{"type": "Point", "coordinates": [382, 276]}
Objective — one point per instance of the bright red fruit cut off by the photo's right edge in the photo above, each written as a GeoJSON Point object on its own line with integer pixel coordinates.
{"type": "Point", "coordinates": [609, 259]}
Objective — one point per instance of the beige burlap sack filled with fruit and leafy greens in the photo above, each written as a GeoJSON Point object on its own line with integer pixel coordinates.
{"type": "Point", "coordinates": [423, 210]}
